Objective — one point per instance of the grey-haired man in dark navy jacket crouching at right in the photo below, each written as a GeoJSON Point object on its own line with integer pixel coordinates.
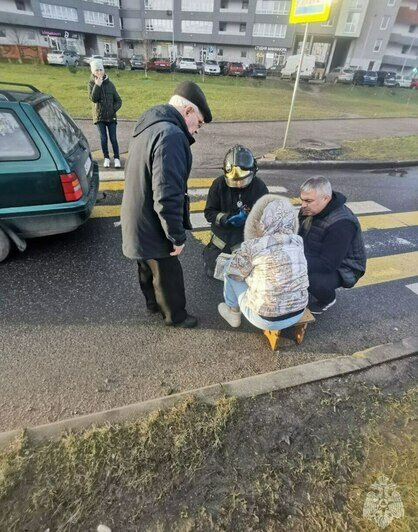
{"type": "Point", "coordinates": [333, 242]}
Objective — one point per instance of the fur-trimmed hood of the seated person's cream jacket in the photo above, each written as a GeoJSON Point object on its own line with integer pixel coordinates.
{"type": "Point", "coordinates": [271, 214]}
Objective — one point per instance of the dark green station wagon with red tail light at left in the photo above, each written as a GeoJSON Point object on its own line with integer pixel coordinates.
{"type": "Point", "coordinates": [48, 180]}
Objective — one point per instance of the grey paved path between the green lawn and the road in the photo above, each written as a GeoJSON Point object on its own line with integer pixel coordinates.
{"type": "Point", "coordinates": [215, 138]}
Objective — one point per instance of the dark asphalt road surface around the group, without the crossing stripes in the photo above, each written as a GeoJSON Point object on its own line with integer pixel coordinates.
{"type": "Point", "coordinates": [75, 337]}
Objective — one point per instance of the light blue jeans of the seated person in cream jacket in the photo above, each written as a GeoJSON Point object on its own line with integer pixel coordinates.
{"type": "Point", "coordinates": [235, 296]}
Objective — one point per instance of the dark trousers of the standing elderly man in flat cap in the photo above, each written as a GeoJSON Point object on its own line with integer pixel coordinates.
{"type": "Point", "coordinates": [162, 283]}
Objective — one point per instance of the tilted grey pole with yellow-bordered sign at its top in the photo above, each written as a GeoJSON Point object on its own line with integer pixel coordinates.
{"type": "Point", "coordinates": [304, 12]}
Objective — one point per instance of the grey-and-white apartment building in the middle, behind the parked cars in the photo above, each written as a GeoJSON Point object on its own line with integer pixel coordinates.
{"type": "Point", "coordinates": [233, 30]}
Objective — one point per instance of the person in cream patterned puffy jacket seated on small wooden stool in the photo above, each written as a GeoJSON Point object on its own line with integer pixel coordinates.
{"type": "Point", "coordinates": [266, 279]}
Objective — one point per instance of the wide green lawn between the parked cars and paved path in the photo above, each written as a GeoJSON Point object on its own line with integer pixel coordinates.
{"type": "Point", "coordinates": [230, 99]}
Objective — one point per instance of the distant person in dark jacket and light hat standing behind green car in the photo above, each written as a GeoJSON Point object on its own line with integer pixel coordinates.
{"type": "Point", "coordinates": [106, 103]}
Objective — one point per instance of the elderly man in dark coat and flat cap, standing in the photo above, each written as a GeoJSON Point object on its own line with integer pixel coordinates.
{"type": "Point", "coordinates": [155, 212]}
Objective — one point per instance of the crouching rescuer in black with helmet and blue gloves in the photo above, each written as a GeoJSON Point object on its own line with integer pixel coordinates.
{"type": "Point", "coordinates": [230, 199]}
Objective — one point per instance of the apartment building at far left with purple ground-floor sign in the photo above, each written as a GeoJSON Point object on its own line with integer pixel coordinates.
{"type": "Point", "coordinates": [86, 26]}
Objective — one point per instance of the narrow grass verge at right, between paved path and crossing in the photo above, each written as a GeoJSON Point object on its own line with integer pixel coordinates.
{"type": "Point", "coordinates": [385, 149]}
